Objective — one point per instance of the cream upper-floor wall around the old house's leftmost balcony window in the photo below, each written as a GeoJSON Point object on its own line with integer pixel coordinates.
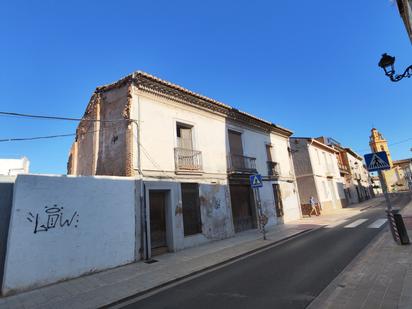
{"type": "Point", "coordinates": [159, 138]}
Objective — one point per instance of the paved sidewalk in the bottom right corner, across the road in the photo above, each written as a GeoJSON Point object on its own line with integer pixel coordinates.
{"type": "Point", "coordinates": [379, 277]}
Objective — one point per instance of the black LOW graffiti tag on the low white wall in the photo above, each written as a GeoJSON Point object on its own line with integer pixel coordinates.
{"type": "Point", "coordinates": [51, 218]}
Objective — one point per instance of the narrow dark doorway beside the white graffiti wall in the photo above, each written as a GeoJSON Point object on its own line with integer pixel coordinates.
{"type": "Point", "coordinates": [158, 236]}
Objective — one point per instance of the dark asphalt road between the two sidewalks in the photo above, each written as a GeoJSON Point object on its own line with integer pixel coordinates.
{"type": "Point", "coordinates": [289, 275]}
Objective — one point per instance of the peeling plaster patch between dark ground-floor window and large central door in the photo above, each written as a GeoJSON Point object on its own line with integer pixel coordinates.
{"type": "Point", "coordinates": [215, 210]}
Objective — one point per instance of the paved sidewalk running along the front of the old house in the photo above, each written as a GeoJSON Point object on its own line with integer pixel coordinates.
{"type": "Point", "coordinates": [107, 287]}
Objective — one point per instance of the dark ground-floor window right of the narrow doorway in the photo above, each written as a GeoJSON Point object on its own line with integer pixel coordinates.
{"type": "Point", "coordinates": [192, 223]}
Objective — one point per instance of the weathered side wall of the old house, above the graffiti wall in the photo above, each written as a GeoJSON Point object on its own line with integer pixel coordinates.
{"type": "Point", "coordinates": [104, 148]}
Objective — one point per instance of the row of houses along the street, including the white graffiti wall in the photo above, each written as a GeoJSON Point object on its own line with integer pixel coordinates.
{"type": "Point", "coordinates": [158, 168]}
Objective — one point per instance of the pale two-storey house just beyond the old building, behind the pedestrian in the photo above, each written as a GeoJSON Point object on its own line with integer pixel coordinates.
{"type": "Point", "coordinates": [317, 173]}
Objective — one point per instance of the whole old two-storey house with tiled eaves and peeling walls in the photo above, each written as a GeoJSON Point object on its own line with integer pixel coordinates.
{"type": "Point", "coordinates": [194, 155]}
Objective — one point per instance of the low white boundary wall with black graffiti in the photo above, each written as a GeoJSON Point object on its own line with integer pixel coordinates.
{"type": "Point", "coordinates": [100, 233]}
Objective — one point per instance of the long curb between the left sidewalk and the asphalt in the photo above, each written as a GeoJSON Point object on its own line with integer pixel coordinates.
{"type": "Point", "coordinates": [210, 267]}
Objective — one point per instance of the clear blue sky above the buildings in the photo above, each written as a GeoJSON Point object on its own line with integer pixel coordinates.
{"type": "Point", "coordinates": [311, 68]}
